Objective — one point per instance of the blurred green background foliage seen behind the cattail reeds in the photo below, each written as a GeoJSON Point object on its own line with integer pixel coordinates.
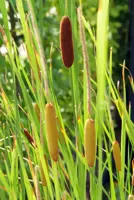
{"type": "Point", "coordinates": [48, 19]}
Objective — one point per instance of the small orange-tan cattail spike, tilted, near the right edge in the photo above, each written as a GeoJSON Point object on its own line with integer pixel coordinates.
{"type": "Point", "coordinates": [117, 155]}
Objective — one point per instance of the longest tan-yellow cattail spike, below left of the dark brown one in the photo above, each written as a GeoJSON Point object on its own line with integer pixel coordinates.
{"type": "Point", "coordinates": [51, 131]}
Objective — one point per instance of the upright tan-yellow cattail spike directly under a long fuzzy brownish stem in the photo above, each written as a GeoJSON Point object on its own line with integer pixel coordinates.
{"type": "Point", "coordinates": [90, 142]}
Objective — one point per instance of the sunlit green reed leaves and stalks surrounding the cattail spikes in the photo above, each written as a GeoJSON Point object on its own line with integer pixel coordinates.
{"type": "Point", "coordinates": [20, 163]}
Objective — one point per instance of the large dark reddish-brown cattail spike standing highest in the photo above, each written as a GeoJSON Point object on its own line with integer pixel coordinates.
{"type": "Point", "coordinates": [66, 42]}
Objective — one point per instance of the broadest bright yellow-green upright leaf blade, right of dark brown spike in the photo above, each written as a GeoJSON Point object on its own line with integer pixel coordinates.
{"type": "Point", "coordinates": [101, 59]}
